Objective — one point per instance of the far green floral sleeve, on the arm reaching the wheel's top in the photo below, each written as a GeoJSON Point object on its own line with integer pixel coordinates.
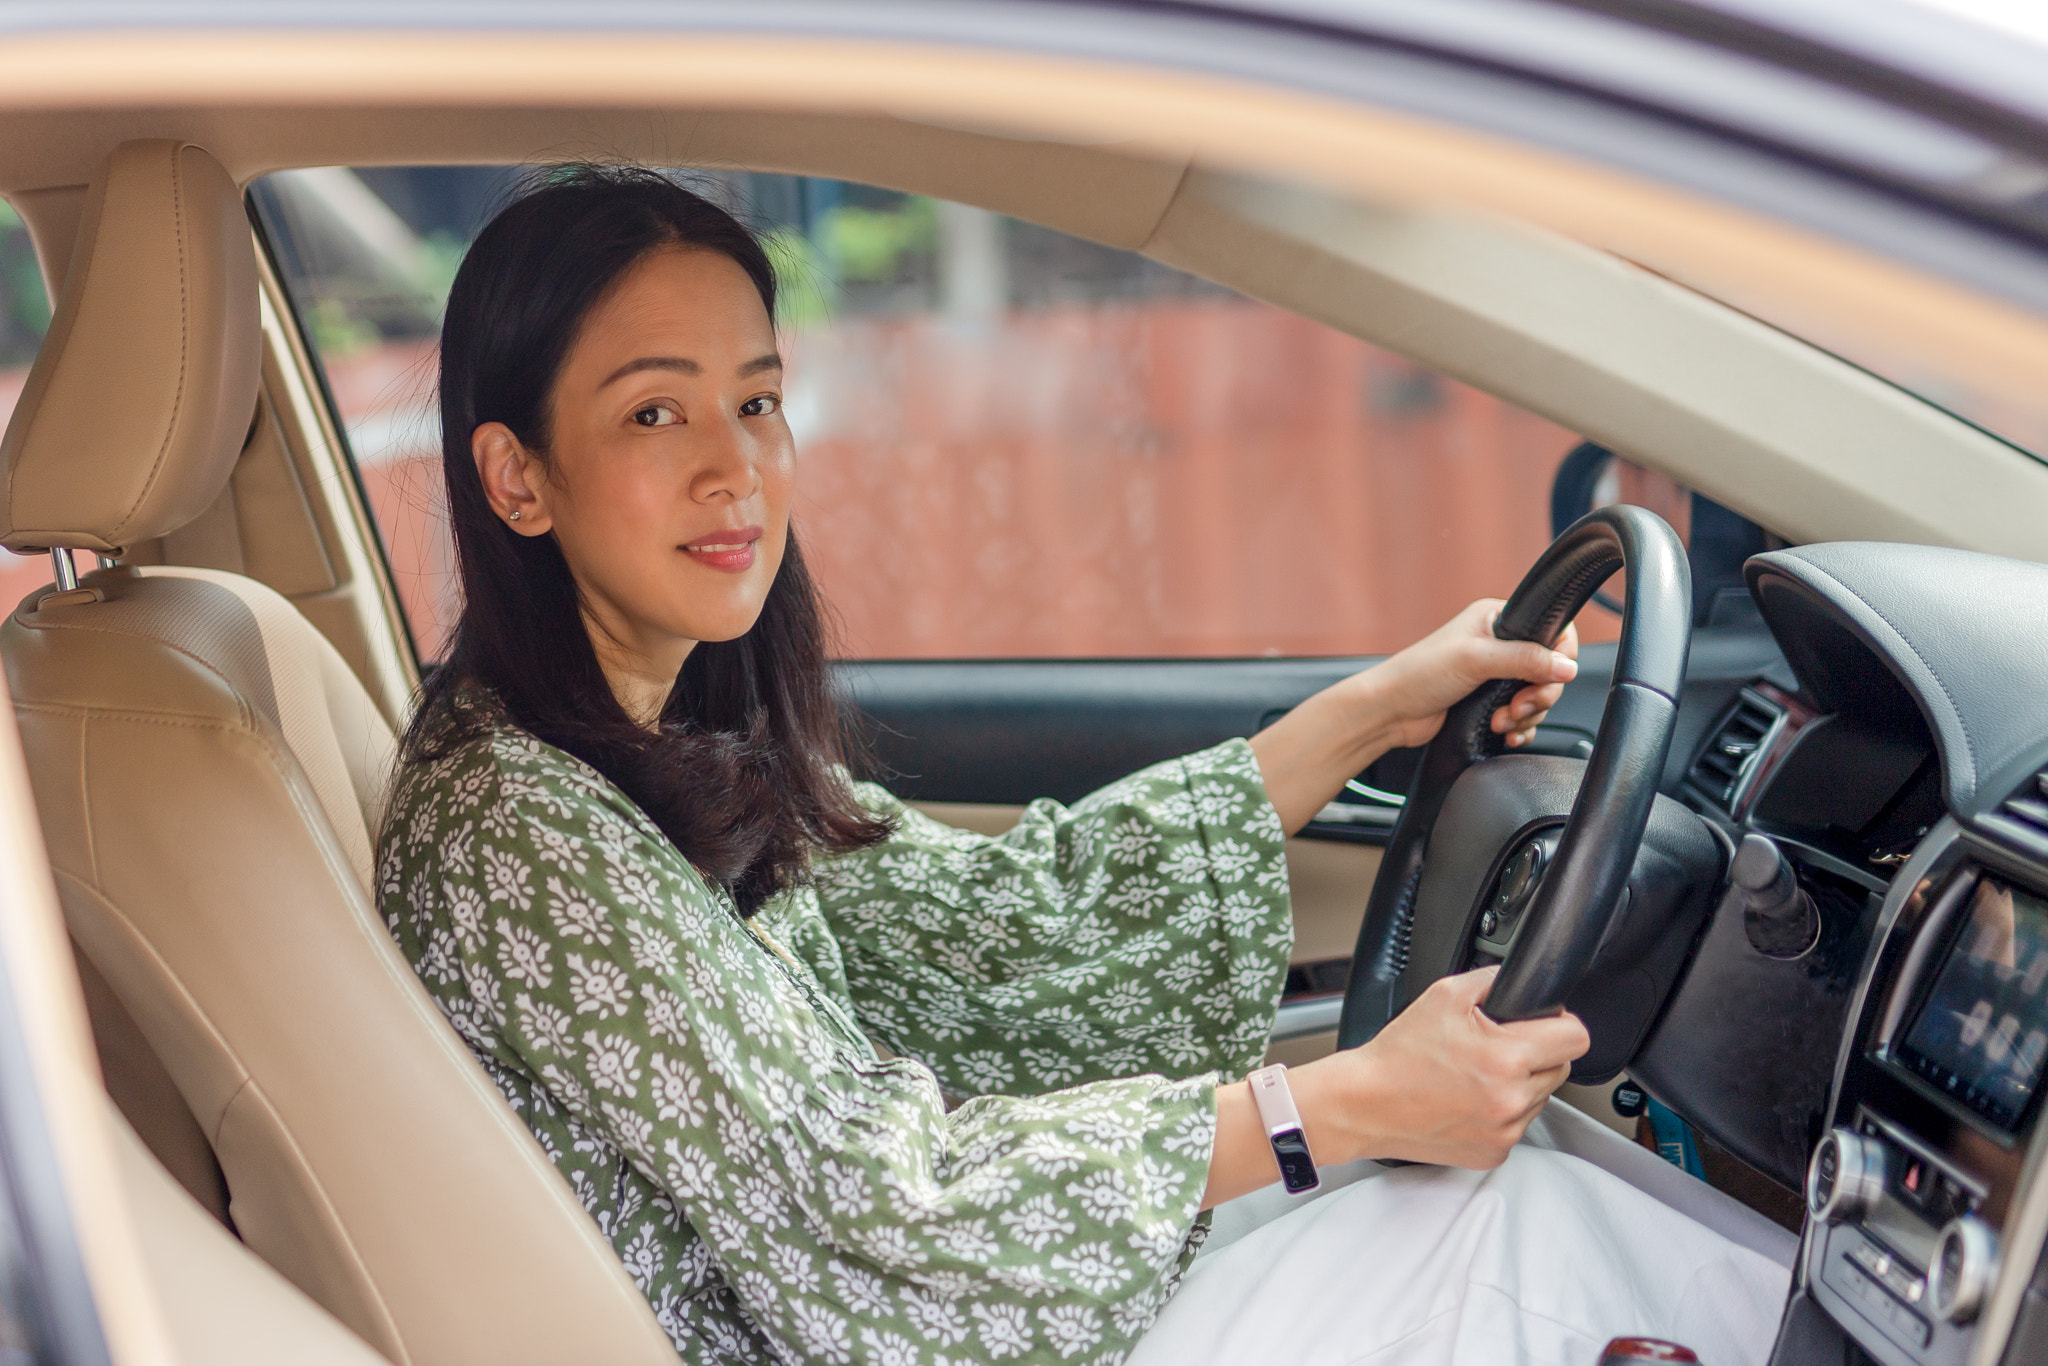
{"type": "Point", "coordinates": [1146, 929]}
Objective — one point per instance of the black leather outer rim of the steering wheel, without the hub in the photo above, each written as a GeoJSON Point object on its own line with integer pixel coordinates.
{"type": "Point", "coordinates": [1615, 800]}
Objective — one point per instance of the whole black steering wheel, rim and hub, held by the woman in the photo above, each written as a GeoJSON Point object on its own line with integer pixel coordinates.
{"type": "Point", "coordinates": [1558, 892]}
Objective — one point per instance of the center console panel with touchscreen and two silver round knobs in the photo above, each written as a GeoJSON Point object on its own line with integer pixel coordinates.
{"type": "Point", "coordinates": [1916, 1183]}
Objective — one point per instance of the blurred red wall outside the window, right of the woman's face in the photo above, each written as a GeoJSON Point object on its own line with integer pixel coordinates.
{"type": "Point", "coordinates": [1195, 478]}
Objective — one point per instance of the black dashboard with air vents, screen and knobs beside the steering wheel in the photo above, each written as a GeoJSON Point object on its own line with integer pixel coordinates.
{"type": "Point", "coordinates": [1895, 1068]}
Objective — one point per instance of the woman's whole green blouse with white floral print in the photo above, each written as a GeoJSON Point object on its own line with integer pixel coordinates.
{"type": "Point", "coordinates": [781, 1187]}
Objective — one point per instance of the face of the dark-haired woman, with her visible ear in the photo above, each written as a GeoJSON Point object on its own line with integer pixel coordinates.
{"type": "Point", "coordinates": [673, 468]}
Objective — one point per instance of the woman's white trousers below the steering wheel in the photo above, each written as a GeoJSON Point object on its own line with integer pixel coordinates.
{"type": "Point", "coordinates": [1539, 1263]}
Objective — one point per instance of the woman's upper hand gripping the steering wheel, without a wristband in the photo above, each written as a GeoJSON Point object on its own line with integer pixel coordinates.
{"type": "Point", "coordinates": [1414, 689]}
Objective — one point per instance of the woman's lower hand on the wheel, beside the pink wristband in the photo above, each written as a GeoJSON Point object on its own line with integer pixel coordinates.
{"type": "Point", "coordinates": [1445, 1084]}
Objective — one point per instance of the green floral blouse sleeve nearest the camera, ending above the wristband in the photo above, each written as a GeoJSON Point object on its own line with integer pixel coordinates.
{"type": "Point", "coordinates": [851, 1213]}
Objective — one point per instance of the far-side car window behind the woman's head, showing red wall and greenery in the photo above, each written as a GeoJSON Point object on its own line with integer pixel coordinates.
{"type": "Point", "coordinates": [1015, 443]}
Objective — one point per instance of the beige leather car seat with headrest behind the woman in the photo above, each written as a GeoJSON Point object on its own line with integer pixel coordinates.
{"type": "Point", "coordinates": [208, 775]}
